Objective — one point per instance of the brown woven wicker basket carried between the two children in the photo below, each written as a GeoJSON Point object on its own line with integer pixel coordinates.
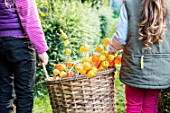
{"type": "Point", "coordinates": [81, 95]}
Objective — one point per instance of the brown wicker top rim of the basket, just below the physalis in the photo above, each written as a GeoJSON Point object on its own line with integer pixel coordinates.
{"type": "Point", "coordinates": [78, 76]}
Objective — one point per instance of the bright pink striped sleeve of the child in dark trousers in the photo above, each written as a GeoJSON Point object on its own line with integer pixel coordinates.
{"type": "Point", "coordinates": [30, 21]}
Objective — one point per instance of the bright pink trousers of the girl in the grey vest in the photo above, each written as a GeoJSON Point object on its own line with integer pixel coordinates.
{"type": "Point", "coordinates": [141, 100]}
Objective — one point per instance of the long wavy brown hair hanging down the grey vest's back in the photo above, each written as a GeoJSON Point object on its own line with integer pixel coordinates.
{"type": "Point", "coordinates": [153, 23]}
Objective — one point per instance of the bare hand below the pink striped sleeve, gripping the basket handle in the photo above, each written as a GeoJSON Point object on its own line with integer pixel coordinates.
{"type": "Point", "coordinates": [43, 59]}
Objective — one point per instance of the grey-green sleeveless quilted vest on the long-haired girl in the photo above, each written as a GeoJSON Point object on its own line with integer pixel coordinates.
{"type": "Point", "coordinates": [156, 70]}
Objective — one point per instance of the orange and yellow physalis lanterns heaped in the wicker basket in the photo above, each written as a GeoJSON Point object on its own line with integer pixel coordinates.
{"type": "Point", "coordinates": [90, 64]}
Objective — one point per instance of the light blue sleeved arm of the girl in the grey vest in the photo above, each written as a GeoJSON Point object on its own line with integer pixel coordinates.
{"type": "Point", "coordinates": [120, 36]}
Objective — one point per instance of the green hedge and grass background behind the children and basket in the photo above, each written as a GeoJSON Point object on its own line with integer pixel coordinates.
{"type": "Point", "coordinates": [82, 24]}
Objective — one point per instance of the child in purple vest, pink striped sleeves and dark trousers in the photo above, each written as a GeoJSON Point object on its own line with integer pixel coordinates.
{"type": "Point", "coordinates": [20, 33]}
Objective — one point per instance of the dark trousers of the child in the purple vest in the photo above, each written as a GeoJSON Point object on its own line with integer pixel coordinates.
{"type": "Point", "coordinates": [17, 65]}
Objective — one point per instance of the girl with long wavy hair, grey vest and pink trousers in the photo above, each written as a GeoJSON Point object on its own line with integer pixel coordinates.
{"type": "Point", "coordinates": [143, 32]}
